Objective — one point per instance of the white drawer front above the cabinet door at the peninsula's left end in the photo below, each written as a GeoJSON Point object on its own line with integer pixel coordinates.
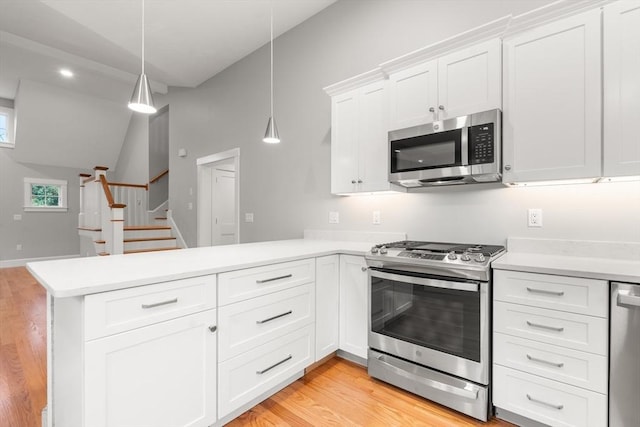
{"type": "Point", "coordinates": [108, 313]}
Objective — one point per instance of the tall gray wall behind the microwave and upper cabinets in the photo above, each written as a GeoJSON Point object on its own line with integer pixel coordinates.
{"type": "Point", "coordinates": [287, 186]}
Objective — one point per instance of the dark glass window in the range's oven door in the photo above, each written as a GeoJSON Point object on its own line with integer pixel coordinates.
{"type": "Point", "coordinates": [444, 320]}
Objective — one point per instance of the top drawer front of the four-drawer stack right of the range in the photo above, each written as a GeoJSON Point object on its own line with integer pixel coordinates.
{"type": "Point", "coordinates": [572, 294]}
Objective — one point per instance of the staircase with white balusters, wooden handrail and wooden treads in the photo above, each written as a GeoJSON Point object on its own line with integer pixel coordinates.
{"type": "Point", "coordinates": [108, 227]}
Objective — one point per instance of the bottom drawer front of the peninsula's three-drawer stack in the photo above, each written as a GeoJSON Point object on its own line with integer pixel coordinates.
{"type": "Point", "coordinates": [255, 372]}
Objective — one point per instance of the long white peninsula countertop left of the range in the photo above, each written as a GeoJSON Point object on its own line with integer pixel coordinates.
{"type": "Point", "coordinates": [83, 276]}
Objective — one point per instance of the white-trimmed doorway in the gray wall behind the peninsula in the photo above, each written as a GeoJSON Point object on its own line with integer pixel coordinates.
{"type": "Point", "coordinates": [218, 198]}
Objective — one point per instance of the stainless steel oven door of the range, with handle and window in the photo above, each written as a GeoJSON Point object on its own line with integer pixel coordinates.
{"type": "Point", "coordinates": [438, 323]}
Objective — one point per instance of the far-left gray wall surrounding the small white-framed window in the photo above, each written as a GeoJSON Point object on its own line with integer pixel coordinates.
{"type": "Point", "coordinates": [41, 234]}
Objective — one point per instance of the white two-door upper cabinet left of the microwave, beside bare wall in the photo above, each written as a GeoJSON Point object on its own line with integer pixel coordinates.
{"type": "Point", "coordinates": [359, 157]}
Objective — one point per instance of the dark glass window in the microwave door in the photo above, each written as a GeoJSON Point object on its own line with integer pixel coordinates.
{"type": "Point", "coordinates": [431, 151]}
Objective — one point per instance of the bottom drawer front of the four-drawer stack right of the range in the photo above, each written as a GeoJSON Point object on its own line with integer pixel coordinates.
{"type": "Point", "coordinates": [547, 401]}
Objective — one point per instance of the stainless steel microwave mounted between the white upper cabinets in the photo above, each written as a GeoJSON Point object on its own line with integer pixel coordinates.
{"type": "Point", "coordinates": [461, 150]}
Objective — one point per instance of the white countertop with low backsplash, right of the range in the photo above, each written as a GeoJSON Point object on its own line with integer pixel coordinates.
{"type": "Point", "coordinates": [595, 260]}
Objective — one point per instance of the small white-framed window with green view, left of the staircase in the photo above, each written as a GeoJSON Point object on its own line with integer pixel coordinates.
{"type": "Point", "coordinates": [45, 195]}
